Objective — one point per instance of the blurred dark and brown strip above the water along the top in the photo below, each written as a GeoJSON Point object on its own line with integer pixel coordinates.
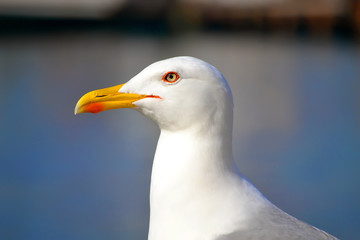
{"type": "Point", "coordinates": [313, 17]}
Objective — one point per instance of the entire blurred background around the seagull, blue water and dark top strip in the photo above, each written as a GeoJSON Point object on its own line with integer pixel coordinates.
{"type": "Point", "coordinates": [293, 68]}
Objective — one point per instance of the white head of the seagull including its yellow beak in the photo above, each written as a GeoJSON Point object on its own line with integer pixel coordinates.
{"type": "Point", "coordinates": [176, 93]}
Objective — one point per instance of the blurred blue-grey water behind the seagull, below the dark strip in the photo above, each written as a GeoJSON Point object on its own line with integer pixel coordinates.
{"type": "Point", "coordinates": [296, 130]}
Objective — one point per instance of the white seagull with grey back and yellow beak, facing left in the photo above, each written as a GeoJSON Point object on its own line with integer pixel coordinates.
{"type": "Point", "coordinates": [197, 191]}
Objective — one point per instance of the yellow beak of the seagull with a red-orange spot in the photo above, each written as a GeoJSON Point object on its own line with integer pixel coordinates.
{"type": "Point", "coordinates": [106, 99]}
